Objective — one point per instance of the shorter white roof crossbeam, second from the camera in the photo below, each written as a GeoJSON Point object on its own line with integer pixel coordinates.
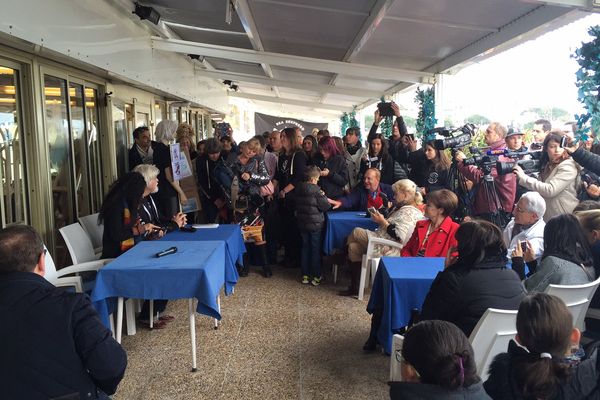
{"type": "Point", "coordinates": [313, 87]}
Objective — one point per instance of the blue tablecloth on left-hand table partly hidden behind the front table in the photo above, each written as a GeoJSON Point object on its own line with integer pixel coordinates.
{"type": "Point", "coordinates": [234, 246]}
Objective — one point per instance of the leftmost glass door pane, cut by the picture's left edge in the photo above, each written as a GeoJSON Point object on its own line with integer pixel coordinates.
{"type": "Point", "coordinates": [14, 205]}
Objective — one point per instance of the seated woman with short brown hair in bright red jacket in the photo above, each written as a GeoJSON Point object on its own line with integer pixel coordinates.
{"type": "Point", "coordinates": [433, 236]}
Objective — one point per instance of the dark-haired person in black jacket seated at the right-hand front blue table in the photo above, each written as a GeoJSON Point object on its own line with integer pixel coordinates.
{"type": "Point", "coordinates": [476, 281]}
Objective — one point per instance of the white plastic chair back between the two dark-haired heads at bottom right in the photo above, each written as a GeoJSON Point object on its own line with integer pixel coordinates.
{"type": "Point", "coordinates": [491, 336]}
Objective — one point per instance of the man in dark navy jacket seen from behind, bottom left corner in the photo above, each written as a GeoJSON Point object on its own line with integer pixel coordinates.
{"type": "Point", "coordinates": [54, 345]}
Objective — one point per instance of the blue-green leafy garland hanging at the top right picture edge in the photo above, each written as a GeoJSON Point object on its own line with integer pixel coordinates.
{"type": "Point", "coordinates": [588, 82]}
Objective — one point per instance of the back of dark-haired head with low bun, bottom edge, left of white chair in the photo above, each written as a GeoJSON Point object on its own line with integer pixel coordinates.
{"type": "Point", "coordinates": [437, 363]}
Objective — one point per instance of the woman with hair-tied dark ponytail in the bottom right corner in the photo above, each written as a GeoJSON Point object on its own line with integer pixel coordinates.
{"type": "Point", "coordinates": [544, 362]}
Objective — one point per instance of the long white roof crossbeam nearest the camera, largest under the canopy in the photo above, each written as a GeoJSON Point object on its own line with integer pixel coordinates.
{"type": "Point", "coordinates": [287, 60]}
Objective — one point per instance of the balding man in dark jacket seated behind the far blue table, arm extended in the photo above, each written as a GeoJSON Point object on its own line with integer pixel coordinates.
{"type": "Point", "coordinates": [372, 194]}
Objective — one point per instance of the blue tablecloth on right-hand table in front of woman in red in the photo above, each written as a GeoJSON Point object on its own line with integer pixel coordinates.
{"type": "Point", "coordinates": [401, 284]}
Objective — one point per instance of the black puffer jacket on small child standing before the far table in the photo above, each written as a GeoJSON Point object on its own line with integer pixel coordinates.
{"type": "Point", "coordinates": [311, 204]}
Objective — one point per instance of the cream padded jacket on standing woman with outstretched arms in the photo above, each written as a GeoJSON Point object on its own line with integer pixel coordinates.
{"type": "Point", "coordinates": [559, 189]}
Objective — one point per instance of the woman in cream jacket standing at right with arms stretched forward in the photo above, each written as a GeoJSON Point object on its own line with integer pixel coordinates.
{"type": "Point", "coordinates": [559, 177]}
